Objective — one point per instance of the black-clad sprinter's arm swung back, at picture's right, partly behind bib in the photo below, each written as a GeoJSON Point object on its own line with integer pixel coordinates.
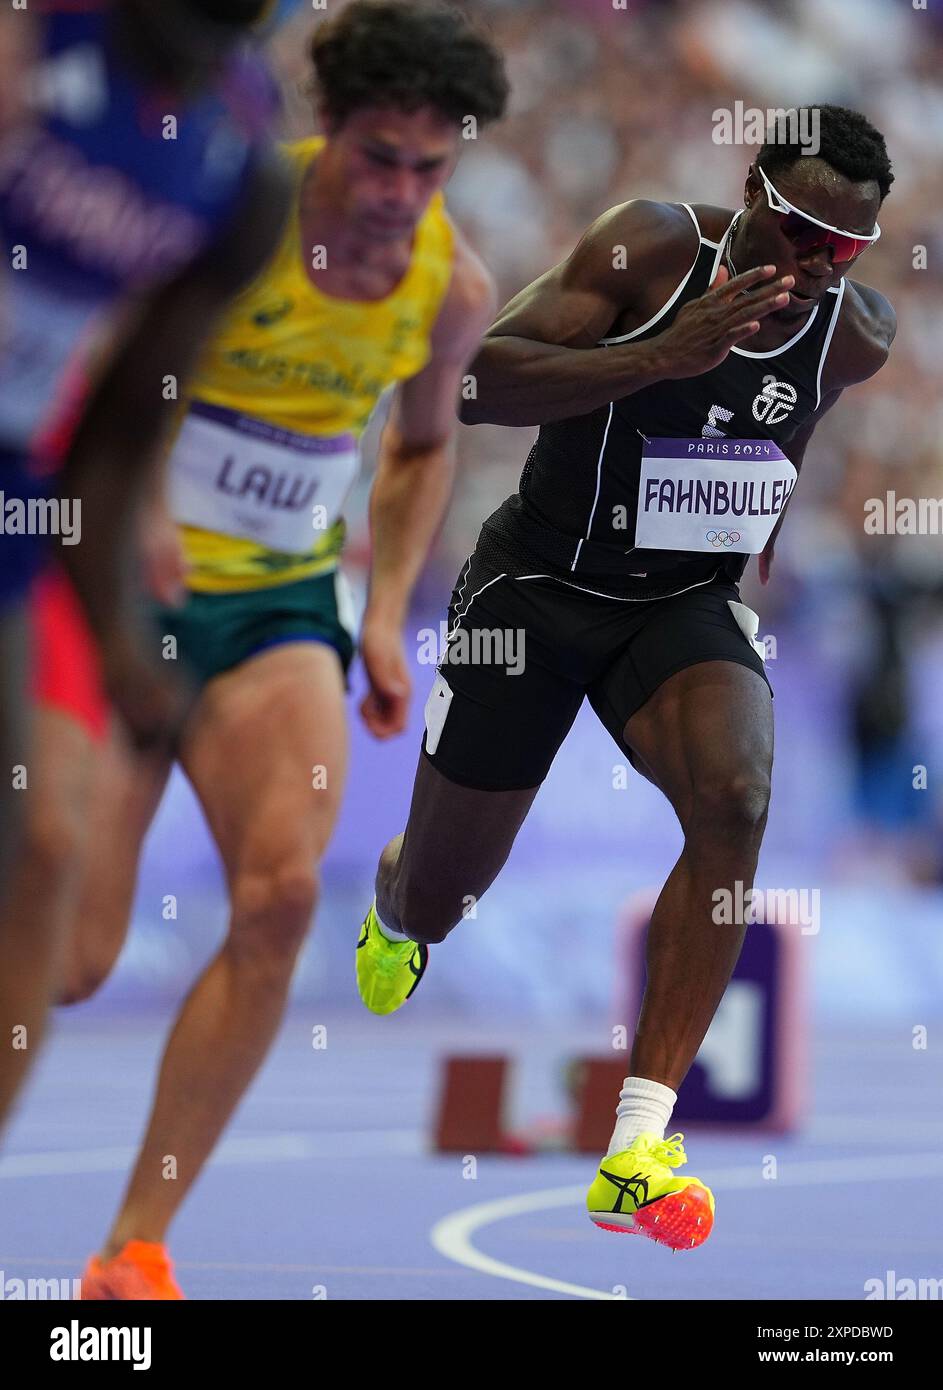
{"type": "Point", "coordinates": [862, 345]}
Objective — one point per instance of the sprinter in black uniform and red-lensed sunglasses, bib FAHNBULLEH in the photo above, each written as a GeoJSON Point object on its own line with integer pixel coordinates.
{"type": "Point", "coordinates": [677, 363]}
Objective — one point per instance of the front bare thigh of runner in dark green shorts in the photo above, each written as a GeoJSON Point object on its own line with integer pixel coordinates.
{"type": "Point", "coordinates": [266, 751]}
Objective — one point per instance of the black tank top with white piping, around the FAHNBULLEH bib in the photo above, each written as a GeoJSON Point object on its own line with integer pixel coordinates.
{"type": "Point", "coordinates": [583, 468]}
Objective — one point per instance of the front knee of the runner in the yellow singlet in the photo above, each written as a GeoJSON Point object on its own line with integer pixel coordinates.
{"type": "Point", "coordinates": [273, 910]}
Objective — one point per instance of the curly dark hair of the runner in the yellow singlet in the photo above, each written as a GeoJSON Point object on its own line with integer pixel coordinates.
{"type": "Point", "coordinates": [408, 55]}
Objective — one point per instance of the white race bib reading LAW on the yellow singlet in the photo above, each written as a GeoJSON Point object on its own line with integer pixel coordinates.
{"type": "Point", "coordinates": [244, 477]}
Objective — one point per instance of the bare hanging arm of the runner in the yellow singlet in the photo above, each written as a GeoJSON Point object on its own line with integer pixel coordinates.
{"type": "Point", "coordinates": [412, 486]}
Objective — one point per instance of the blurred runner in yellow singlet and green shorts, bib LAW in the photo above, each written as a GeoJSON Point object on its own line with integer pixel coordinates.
{"type": "Point", "coordinates": [371, 288]}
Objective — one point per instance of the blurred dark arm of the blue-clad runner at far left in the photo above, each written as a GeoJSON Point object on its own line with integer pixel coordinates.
{"type": "Point", "coordinates": [118, 445]}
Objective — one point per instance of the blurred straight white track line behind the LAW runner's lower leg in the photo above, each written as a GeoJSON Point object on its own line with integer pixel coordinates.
{"type": "Point", "coordinates": [250, 1149]}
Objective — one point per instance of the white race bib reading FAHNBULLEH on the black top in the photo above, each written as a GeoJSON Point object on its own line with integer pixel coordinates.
{"type": "Point", "coordinates": [711, 494]}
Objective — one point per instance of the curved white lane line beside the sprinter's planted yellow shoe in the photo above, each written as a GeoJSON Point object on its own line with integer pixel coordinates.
{"type": "Point", "coordinates": [453, 1235]}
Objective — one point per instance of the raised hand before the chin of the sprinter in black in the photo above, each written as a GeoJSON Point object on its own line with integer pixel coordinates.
{"type": "Point", "coordinates": [707, 329]}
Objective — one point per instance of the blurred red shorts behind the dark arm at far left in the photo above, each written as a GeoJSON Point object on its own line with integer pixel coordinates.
{"type": "Point", "coordinates": [66, 661]}
